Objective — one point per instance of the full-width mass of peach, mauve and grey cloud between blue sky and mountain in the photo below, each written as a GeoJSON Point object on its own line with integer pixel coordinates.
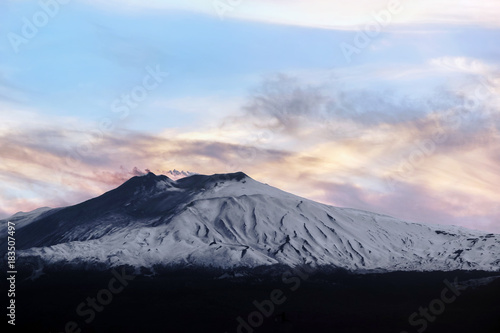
{"type": "Point", "coordinates": [432, 160]}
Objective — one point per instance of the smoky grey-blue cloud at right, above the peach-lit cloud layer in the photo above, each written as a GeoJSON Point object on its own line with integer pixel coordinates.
{"type": "Point", "coordinates": [328, 109]}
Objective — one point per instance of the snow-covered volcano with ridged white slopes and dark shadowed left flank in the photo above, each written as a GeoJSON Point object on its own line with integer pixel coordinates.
{"type": "Point", "coordinates": [229, 220]}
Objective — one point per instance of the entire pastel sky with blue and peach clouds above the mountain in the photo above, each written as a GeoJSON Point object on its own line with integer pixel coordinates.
{"type": "Point", "coordinates": [386, 106]}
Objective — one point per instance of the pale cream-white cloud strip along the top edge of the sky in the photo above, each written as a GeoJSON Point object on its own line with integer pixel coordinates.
{"type": "Point", "coordinates": [330, 14]}
